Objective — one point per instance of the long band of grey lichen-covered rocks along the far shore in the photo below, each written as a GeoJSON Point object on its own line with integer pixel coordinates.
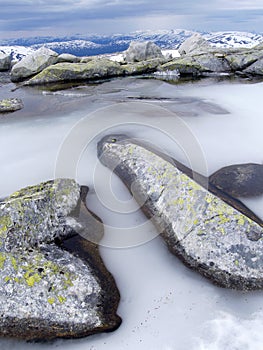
{"type": "Point", "coordinates": [197, 58]}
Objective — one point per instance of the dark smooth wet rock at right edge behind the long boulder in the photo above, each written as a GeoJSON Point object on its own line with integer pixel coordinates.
{"type": "Point", "coordinates": [239, 180]}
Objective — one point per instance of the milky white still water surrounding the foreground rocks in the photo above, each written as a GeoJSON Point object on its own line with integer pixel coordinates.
{"type": "Point", "coordinates": [204, 124]}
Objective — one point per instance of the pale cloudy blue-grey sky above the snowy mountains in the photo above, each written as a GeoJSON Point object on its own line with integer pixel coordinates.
{"type": "Point", "coordinates": [65, 17]}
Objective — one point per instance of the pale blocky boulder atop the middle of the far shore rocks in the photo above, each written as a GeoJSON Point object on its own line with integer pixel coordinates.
{"type": "Point", "coordinates": [142, 51]}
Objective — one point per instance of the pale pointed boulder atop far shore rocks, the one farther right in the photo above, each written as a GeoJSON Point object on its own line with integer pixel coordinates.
{"type": "Point", "coordinates": [193, 45]}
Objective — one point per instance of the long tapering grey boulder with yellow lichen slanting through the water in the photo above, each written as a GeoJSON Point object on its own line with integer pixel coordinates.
{"type": "Point", "coordinates": [209, 235]}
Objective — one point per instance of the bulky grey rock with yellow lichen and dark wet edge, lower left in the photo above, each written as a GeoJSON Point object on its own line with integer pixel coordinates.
{"type": "Point", "coordinates": [51, 286]}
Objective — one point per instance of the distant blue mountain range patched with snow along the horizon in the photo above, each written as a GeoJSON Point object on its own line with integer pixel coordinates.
{"type": "Point", "coordinates": [80, 45]}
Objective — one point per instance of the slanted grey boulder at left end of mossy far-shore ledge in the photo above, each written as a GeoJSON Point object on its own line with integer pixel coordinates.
{"type": "Point", "coordinates": [33, 64]}
